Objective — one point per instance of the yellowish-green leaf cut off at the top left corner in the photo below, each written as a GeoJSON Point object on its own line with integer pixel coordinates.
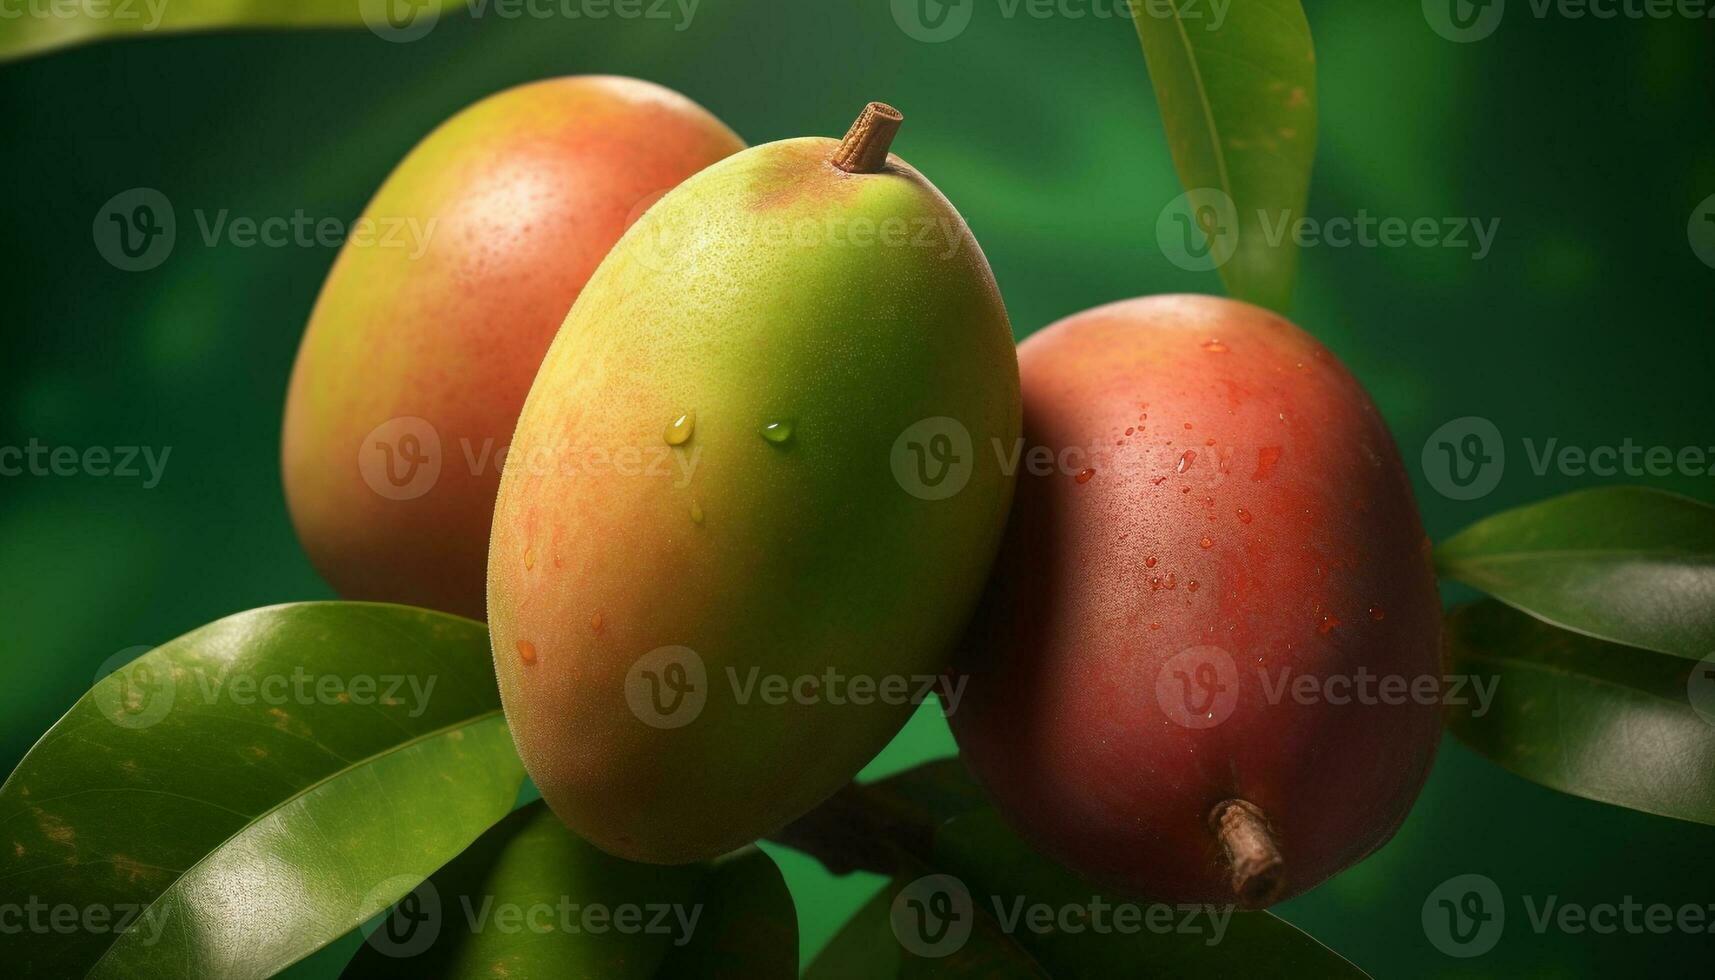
{"type": "Point", "coordinates": [45, 25]}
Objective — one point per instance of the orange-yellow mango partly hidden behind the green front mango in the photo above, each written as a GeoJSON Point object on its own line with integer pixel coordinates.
{"type": "Point", "coordinates": [517, 200]}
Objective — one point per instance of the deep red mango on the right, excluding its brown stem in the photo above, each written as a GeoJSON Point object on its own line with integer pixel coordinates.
{"type": "Point", "coordinates": [1062, 720]}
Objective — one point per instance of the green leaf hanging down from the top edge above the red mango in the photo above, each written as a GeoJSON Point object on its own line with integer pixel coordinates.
{"type": "Point", "coordinates": [1237, 97]}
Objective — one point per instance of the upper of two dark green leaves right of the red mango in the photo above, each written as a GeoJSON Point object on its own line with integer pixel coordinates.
{"type": "Point", "coordinates": [1628, 566]}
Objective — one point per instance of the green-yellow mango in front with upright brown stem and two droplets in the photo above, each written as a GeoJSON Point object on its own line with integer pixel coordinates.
{"type": "Point", "coordinates": [716, 581]}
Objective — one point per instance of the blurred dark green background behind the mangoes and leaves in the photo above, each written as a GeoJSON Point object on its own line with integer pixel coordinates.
{"type": "Point", "coordinates": [1589, 322]}
